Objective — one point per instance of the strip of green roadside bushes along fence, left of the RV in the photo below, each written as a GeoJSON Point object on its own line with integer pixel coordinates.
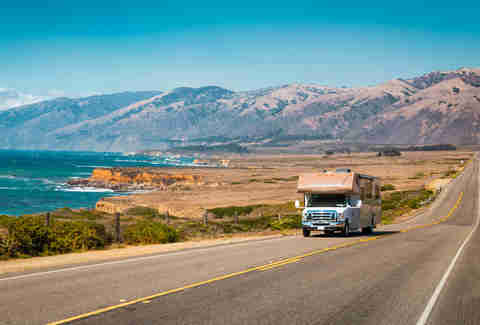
{"type": "Point", "coordinates": [67, 230]}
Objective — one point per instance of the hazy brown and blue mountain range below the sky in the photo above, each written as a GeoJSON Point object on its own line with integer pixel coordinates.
{"type": "Point", "coordinates": [438, 107]}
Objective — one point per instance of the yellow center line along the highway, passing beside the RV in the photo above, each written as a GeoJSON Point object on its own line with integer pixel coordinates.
{"type": "Point", "coordinates": [249, 270]}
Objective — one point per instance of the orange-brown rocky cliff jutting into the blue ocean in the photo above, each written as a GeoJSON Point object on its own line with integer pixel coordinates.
{"type": "Point", "coordinates": [125, 179]}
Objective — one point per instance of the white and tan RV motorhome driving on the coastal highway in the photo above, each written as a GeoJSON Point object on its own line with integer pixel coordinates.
{"type": "Point", "coordinates": [340, 201]}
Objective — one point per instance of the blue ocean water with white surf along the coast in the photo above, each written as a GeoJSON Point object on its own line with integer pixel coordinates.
{"type": "Point", "coordinates": [35, 181]}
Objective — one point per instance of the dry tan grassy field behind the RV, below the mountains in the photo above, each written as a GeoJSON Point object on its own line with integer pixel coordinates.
{"type": "Point", "coordinates": [271, 179]}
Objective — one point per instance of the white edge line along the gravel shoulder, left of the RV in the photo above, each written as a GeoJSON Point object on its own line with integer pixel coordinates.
{"type": "Point", "coordinates": [134, 259]}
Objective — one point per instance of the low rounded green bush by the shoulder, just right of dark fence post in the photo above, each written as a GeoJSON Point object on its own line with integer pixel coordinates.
{"type": "Point", "coordinates": [149, 232]}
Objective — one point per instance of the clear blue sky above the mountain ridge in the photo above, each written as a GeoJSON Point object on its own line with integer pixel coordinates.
{"type": "Point", "coordinates": [79, 48]}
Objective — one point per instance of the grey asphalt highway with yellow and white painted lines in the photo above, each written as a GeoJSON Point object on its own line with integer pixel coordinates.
{"type": "Point", "coordinates": [426, 271]}
